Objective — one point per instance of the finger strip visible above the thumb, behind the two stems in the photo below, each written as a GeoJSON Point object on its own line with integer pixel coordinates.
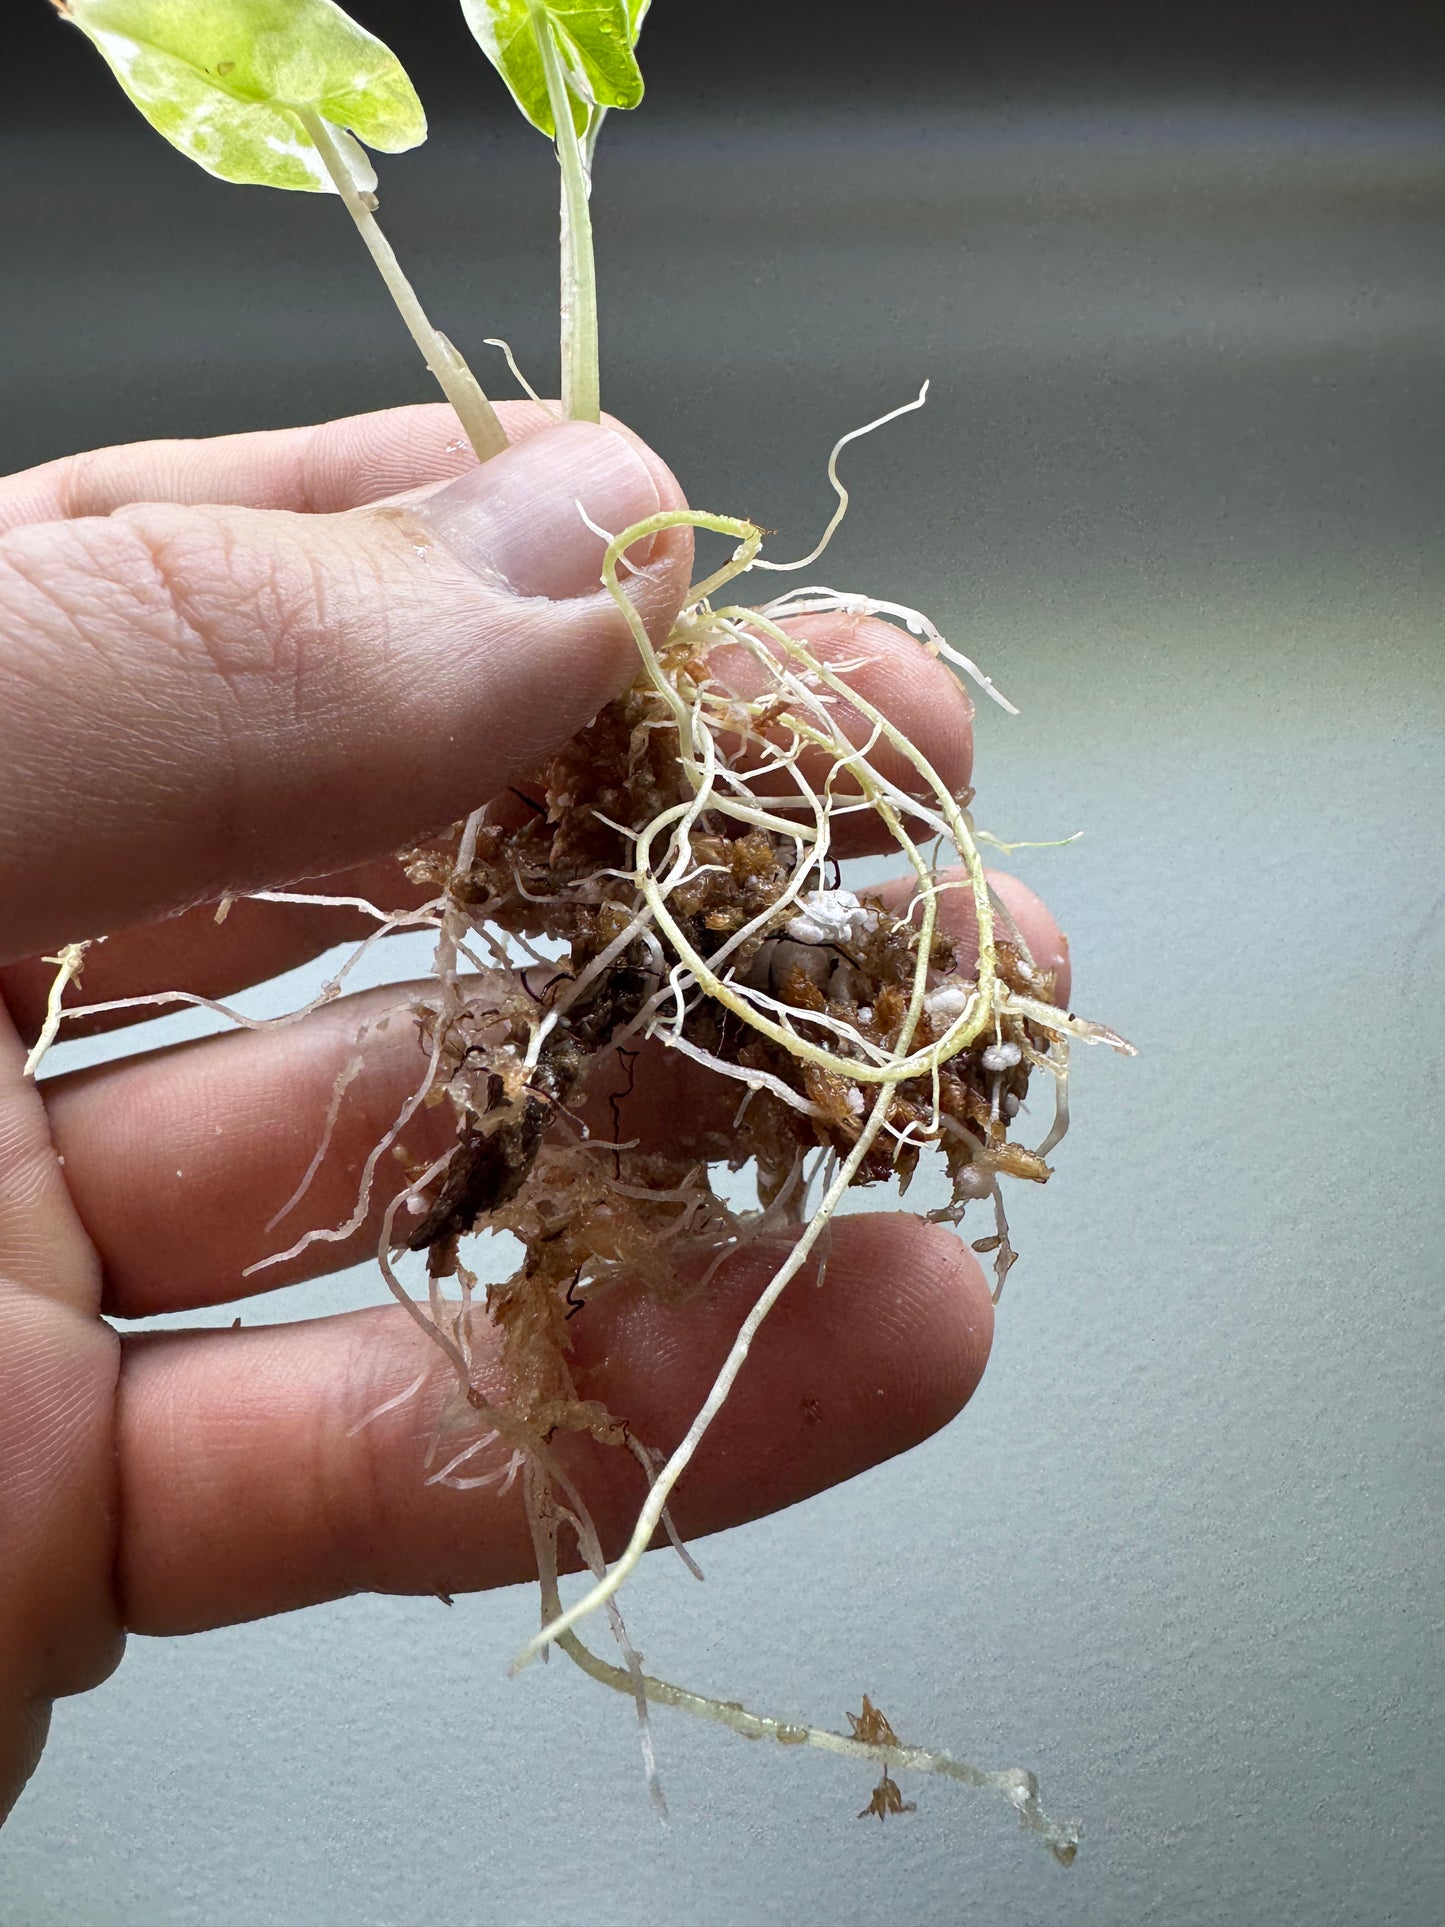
{"type": "Point", "coordinates": [319, 469]}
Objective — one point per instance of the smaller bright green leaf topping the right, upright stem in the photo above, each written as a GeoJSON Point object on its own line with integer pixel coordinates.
{"type": "Point", "coordinates": [592, 38]}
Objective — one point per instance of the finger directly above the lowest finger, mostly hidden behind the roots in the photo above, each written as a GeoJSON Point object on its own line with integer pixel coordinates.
{"type": "Point", "coordinates": [219, 1134]}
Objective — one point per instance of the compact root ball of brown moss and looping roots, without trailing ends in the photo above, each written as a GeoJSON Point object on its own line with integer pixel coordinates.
{"type": "Point", "coordinates": [679, 851]}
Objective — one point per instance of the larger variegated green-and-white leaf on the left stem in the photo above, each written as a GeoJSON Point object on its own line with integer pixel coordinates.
{"type": "Point", "coordinates": [223, 82]}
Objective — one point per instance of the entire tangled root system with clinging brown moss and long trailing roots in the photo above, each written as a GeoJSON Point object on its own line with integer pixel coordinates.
{"type": "Point", "coordinates": [671, 878]}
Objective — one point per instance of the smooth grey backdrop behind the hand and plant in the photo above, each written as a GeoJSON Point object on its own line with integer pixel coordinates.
{"type": "Point", "coordinates": [1180, 488]}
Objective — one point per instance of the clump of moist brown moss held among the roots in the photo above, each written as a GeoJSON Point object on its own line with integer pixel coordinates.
{"type": "Point", "coordinates": [556, 862]}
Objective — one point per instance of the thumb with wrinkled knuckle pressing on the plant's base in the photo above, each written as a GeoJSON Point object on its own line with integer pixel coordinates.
{"type": "Point", "coordinates": [205, 700]}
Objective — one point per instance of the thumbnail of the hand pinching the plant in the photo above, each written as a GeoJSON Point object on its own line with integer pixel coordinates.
{"type": "Point", "coordinates": [517, 519]}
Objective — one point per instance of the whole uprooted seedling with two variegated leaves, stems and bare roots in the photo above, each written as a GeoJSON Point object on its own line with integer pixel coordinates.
{"type": "Point", "coordinates": [679, 853]}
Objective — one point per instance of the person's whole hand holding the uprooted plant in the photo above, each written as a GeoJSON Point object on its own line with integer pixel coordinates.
{"type": "Point", "coordinates": [230, 666]}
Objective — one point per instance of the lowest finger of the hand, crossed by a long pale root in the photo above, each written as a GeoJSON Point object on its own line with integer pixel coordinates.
{"type": "Point", "coordinates": [250, 1487]}
